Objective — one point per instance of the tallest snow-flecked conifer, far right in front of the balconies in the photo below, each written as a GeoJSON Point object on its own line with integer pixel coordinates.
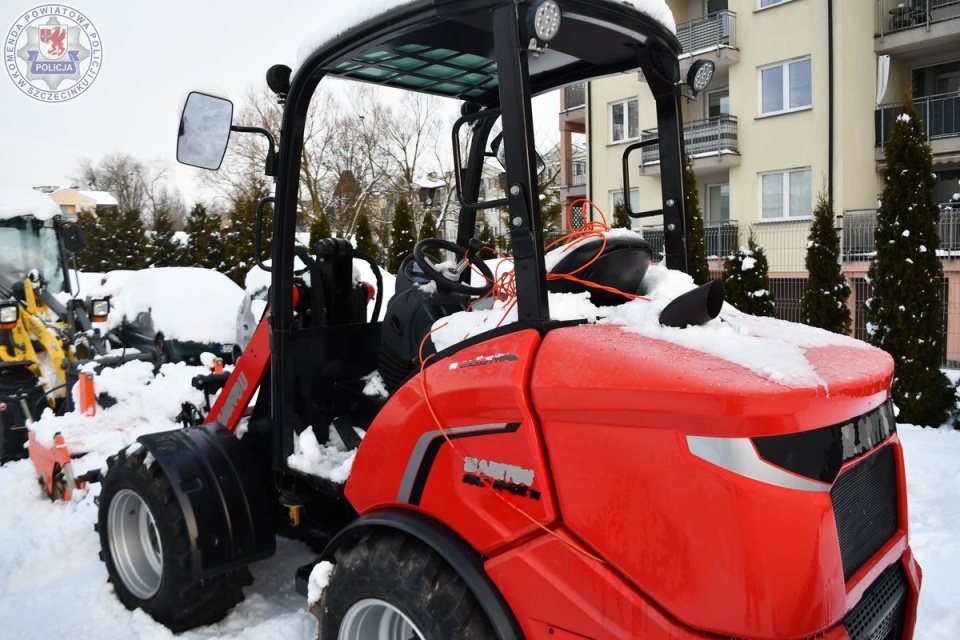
{"type": "Point", "coordinates": [905, 312]}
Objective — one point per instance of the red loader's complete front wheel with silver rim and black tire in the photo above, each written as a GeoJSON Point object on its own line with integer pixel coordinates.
{"type": "Point", "coordinates": [145, 545]}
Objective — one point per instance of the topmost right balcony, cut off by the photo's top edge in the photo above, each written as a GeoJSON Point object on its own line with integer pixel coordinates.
{"type": "Point", "coordinates": [910, 26]}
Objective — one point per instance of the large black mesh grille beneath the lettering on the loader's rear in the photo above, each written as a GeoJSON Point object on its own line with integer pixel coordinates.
{"type": "Point", "coordinates": [865, 507]}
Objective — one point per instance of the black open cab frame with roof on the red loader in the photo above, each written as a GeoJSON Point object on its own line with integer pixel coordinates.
{"type": "Point", "coordinates": [492, 60]}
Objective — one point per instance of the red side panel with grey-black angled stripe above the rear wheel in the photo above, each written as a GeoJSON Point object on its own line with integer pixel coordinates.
{"type": "Point", "coordinates": [485, 384]}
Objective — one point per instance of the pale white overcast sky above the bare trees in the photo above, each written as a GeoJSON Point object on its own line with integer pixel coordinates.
{"type": "Point", "coordinates": [152, 53]}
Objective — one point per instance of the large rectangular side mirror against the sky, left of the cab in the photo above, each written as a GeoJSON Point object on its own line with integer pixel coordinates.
{"type": "Point", "coordinates": [204, 130]}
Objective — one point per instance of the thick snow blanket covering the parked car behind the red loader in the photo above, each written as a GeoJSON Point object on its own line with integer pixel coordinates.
{"type": "Point", "coordinates": [186, 303]}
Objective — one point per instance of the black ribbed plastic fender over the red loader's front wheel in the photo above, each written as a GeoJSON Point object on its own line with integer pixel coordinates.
{"type": "Point", "coordinates": [220, 492]}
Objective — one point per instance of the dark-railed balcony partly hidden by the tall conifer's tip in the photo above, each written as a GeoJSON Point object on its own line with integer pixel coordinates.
{"type": "Point", "coordinates": [940, 116]}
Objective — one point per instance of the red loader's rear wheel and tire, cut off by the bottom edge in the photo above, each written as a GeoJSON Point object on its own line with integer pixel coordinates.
{"type": "Point", "coordinates": [393, 587]}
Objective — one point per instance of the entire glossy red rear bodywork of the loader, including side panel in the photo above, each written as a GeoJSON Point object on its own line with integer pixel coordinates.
{"type": "Point", "coordinates": [685, 546]}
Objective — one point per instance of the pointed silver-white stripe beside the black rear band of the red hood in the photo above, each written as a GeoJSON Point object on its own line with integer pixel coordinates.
{"type": "Point", "coordinates": [740, 456]}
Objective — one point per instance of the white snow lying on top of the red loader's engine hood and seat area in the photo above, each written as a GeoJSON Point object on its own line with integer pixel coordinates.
{"type": "Point", "coordinates": [773, 349]}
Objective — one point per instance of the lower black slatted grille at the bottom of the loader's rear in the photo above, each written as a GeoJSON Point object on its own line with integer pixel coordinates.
{"type": "Point", "coordinates": [879, 614]}
